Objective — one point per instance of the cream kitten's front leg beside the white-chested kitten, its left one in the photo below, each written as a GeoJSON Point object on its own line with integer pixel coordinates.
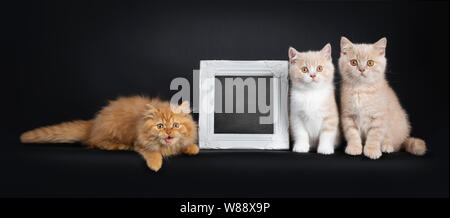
{"type": "Point", "coordinates": [352, 135]}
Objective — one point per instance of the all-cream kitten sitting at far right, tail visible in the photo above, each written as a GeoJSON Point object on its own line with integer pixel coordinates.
{"type": "Point", "coordinates": [371, 113]}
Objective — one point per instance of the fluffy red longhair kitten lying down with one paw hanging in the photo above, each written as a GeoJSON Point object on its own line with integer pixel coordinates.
{"type": "Point", "coordinates": [150, 127]}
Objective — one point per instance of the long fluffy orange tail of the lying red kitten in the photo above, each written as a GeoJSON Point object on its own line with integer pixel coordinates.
{"type": "Point", "coordinates": [66, 132]}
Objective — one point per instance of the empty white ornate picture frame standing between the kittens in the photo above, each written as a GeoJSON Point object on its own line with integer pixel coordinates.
{"type": "Point", "coordinates": [278, 70]}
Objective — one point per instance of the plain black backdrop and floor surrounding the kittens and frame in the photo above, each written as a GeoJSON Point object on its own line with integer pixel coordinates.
{"type": "Point", "coordinates": [65, 59]}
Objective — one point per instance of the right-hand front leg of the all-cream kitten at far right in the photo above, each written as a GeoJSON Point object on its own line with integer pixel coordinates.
{"type": "Point", "coordinates": [372, 148]}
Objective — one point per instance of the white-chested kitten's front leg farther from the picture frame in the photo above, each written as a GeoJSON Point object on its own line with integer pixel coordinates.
{"type": "Point", "coordinates": [328, 132]}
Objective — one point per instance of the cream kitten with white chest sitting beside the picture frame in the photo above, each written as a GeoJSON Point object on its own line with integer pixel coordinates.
{"type": "Point", "coordinates": [314, 116]}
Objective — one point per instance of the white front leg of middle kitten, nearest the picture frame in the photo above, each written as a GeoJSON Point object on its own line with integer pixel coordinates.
{"type": "Point", "coordinates": [301, 137]}
